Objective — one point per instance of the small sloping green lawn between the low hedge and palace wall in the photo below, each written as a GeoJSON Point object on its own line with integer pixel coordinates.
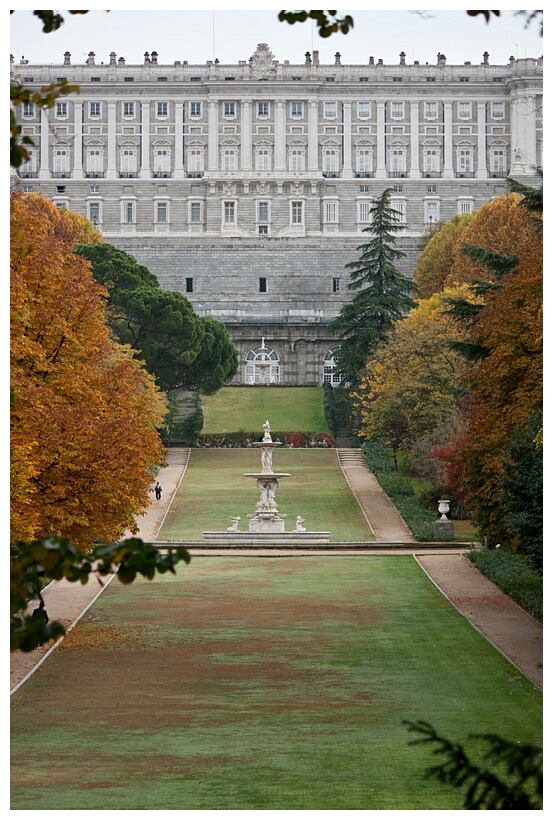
{"type": "Point", "coordinates": [288, 409]}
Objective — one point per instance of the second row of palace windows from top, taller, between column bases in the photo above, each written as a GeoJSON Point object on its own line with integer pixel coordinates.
{"type": "Point", "coordinates": [263, 160]}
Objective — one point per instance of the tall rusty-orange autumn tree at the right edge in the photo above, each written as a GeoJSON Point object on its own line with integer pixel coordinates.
{"type": "Point", "coordinates": [504, 344]}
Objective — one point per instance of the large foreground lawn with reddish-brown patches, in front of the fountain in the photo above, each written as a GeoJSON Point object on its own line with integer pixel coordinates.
{"type": "Point", "coordinates": [262, 684]}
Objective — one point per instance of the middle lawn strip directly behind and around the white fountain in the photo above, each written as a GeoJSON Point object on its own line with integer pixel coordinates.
{"type": "Point", "coordinates": [215, 488]}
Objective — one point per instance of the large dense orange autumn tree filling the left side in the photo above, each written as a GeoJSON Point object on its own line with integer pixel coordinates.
{"type": "Point", "coordinates": [84, 412]}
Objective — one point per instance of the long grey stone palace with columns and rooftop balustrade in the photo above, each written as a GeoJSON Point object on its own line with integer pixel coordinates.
{"type": "Point", "coordinates": [247, 187]}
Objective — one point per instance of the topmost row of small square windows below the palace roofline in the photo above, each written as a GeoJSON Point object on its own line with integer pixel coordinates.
{"type": "Point", "coordinates": [296, 110]}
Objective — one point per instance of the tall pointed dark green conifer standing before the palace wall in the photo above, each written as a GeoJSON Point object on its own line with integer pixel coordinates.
{"type": "Point", "coordinates": [383, 292]}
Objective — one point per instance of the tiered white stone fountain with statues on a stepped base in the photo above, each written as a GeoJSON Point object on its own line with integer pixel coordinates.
{"type": "Point", "coordinates": [266, 524]}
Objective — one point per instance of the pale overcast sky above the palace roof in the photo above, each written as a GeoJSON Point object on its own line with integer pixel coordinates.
{"type": "Point", "coordinates": [230, 36]}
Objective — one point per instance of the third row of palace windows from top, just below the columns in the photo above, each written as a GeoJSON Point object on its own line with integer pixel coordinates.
{"type": "Point", "coordinates": [229, 212]}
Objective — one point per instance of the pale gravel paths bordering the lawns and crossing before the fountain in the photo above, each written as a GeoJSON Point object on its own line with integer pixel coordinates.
{"type": "Point", "coordinates": [511, 630]}
